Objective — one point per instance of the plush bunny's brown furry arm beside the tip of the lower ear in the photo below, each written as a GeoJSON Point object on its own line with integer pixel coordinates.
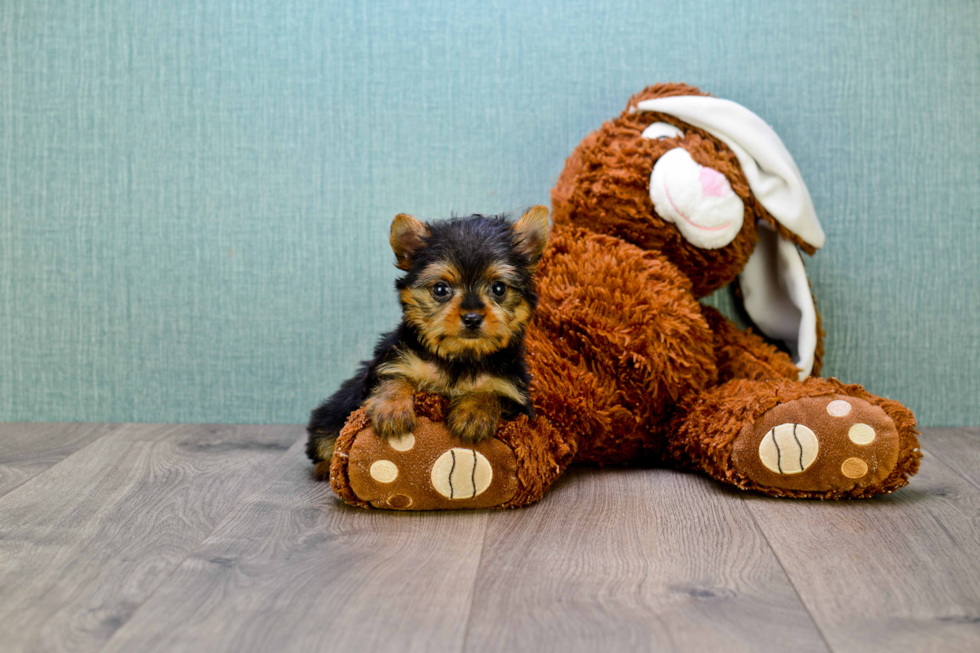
{"type": "Point", "coordinates": [744, 354]}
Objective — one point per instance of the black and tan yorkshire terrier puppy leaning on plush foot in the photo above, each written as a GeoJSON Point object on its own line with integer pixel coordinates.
{"type": "Point", "coordinates": [466, 296]}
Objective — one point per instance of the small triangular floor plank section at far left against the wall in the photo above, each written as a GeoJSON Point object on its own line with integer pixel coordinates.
{"type": "Point", "coordinates": [27, 449]}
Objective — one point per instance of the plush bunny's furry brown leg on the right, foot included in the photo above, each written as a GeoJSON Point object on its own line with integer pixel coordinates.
{"type": "Point", "coordinates": [813, 438]}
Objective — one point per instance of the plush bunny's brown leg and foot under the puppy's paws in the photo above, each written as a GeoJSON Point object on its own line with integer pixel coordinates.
{"type": "Point", "coordinates": [429, 470]}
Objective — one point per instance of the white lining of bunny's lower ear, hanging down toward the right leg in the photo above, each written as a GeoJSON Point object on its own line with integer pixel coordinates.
{"type": "Point", "coordinates": [777, 297]}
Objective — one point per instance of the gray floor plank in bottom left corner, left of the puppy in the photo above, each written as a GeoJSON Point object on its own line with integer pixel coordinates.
{"type": "Point", "coordinates": [84, 543]}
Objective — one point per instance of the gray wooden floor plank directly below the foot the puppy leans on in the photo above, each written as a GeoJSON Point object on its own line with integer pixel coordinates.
{"type": "Point", "coordinates": [293, 569]}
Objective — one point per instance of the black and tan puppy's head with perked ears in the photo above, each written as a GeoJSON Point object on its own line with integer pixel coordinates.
{"type": "Point", "coordinates": [469, 289]}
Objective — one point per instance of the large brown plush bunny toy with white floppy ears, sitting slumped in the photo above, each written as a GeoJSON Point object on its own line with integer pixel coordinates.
{"type": "Point", "coordinates": [679, 196]}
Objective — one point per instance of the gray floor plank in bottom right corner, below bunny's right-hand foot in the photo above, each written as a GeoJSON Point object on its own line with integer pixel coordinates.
{"type": "Point", "coordinates": [894, 573]}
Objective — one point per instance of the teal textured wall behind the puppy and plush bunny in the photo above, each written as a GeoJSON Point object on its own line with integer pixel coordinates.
{"type": "Point", "coordinates": [194, 196]}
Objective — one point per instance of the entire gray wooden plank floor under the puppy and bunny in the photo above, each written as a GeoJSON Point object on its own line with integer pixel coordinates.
{"type": "Point", "coordinates": [214, 538]}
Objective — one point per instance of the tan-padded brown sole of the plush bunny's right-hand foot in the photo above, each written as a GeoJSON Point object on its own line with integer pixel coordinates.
{"type": "Point", "coordinates": [824, 444]}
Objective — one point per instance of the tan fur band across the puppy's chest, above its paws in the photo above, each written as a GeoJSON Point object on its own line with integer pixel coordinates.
{"type": "Point", "coordinates": [429, 376]}
